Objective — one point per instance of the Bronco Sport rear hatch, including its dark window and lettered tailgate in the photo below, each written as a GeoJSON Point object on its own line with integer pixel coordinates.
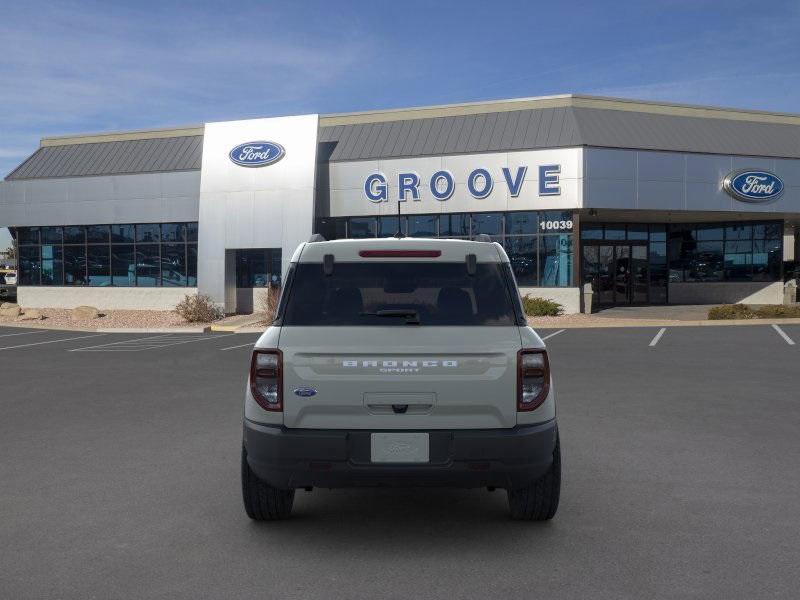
{"type": "Point", "coordinates": [400, 343]}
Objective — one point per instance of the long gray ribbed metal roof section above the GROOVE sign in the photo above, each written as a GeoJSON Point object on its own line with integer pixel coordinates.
{"type": "Point", "coordinates": [560, 127]}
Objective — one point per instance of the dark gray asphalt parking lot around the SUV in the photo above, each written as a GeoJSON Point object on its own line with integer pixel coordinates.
{"type": "Point", "coordinates": [119, 478]}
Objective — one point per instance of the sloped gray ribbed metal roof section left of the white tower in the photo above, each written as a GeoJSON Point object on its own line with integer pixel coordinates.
{"type": "Point", "coordinates": [182, 153]}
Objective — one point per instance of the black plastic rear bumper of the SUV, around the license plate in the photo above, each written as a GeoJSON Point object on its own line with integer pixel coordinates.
{"type": "Point", "coordinates": [296, 458]}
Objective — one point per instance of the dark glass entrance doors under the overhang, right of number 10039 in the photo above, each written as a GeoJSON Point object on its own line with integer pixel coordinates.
{"type": "Point", "coordinates": [618, 272]}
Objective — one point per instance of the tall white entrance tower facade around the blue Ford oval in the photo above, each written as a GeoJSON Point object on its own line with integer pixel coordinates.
{"type": "Point", "coordinates": [269, 206]}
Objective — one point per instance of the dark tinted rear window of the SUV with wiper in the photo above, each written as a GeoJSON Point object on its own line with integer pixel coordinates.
{"type": "Point", "coordinates": [401, 294]}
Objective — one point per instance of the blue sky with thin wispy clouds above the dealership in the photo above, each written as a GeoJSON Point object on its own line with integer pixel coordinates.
{"type": "Point", "coordinates": [75, 67]}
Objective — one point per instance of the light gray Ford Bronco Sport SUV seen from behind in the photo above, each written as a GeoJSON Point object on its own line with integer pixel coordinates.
{"type": "Point", "coordinates": [400, 362]}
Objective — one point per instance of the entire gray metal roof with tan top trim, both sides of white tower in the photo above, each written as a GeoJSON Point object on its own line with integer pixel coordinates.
{"type": "Point", "coordinates": [523, 124]}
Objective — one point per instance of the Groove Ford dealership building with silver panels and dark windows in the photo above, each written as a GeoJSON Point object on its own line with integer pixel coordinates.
{"type": "Point", "coordinates": [650, 203]}
